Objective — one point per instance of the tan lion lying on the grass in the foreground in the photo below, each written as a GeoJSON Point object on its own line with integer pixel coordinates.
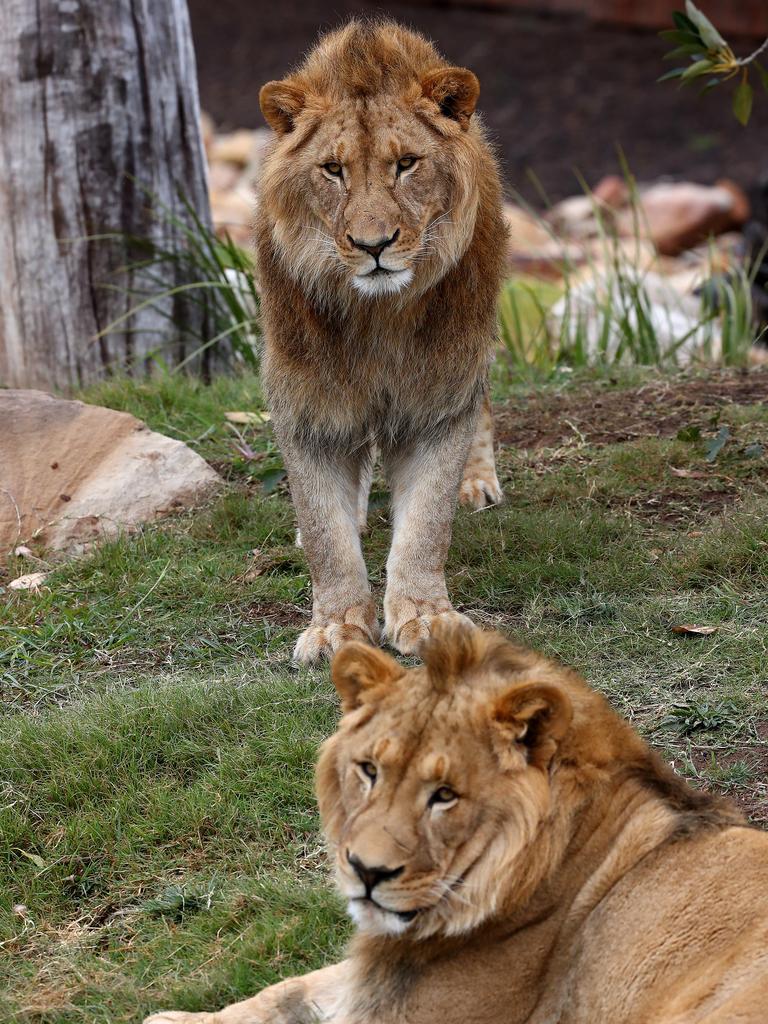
{"type": "Point", "coordinates": [513, 851]}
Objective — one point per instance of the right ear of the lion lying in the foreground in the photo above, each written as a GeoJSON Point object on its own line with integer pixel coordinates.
{"type": "Point", "coordinates": [535, 716]}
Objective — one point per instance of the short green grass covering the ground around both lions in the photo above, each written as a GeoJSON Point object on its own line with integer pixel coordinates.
{"type": "Point", "coordinates": [160, 839]}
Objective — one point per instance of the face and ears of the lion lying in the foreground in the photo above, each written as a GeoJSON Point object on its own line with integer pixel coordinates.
{"type": "Point", "coordinates": [433, 787]}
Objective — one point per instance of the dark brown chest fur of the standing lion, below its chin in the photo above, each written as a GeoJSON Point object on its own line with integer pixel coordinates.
{"type": "Point", "coordinates": [391, 370]}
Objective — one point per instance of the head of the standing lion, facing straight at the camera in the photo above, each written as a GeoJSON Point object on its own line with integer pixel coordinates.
{"type": "Point", "coordinates": [372, 180]}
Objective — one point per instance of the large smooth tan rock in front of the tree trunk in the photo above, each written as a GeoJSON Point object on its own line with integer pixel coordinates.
{"type": "Point", "coordinates": [72, 475]}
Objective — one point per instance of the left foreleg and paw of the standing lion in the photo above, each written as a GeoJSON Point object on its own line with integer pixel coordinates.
{"type": "Point", "coordinates": [326, 493]}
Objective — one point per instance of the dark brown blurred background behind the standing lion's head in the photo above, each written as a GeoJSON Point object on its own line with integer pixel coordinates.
{"type": "Point", "coordinates": [561, 92]}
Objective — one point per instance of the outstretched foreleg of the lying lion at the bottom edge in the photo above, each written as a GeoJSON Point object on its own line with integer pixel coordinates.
{"type": "Point", "coordinates": [319, 998]}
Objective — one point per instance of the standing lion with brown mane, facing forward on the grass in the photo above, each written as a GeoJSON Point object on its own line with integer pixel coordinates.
{"type": "Point", "coordinates": [380, 248]}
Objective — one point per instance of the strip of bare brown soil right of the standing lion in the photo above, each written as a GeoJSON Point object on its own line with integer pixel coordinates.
{"type": "Point", "coordinates": [596, 415]}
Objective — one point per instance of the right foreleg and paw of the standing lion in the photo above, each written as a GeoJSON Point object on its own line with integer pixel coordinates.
{"type": "Point", "coordinates": [425, 482]}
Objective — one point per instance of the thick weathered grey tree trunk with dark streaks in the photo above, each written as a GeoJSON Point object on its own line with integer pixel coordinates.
{"type": "Point", "coordinates": [100, 126]}
